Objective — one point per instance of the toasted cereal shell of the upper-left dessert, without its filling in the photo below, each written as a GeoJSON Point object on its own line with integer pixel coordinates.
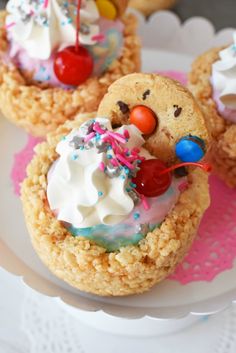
{"type": "Point", "coordinates": [39, 109]}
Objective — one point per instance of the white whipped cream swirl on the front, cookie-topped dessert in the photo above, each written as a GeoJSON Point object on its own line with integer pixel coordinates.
{"type": "Point", "coordinates": [83, 195]}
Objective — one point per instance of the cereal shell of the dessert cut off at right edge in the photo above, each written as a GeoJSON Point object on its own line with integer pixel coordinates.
{"type": "Point", "coordinates": [222, 152]}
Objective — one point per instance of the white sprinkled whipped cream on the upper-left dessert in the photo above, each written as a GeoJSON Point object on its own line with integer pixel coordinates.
{"type": "Point", "coordinates": [40, 27]}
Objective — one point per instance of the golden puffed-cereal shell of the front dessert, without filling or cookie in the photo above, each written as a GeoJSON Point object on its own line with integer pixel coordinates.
{"type": "Point", "coordinates": [87, 266]}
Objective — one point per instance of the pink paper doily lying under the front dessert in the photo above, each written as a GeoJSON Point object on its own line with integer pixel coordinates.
{"type": "Point", "coordinates": [214, 249]}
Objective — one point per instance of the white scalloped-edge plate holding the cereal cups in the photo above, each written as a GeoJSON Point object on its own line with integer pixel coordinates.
{"type": "Point", "coordinates": [167, 300]}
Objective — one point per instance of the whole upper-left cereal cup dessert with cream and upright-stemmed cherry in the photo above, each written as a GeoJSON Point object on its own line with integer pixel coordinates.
{"type": "Point", "coordinates": [47, 75]}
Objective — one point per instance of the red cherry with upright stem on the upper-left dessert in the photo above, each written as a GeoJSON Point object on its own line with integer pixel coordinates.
{"type": "Point", "coordinates": [74, 64]}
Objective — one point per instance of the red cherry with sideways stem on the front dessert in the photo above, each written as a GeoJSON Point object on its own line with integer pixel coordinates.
{"type": "Point", "coordinates": [154, 178]}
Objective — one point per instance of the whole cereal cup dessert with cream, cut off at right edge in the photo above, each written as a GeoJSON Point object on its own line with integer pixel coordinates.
{"type": "Point", "coordinates": [213, 82]}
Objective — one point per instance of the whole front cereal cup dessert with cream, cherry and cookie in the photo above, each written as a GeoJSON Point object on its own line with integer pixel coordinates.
{"type": "Point", "coordinates": [113, 201]}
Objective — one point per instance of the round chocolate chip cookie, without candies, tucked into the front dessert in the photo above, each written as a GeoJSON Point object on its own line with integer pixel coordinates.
{"type": "Point", "coordinates": [177, 112]}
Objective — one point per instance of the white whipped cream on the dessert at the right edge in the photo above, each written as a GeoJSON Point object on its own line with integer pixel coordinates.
{"type": "Point", "coordinates": [224, 76]}
